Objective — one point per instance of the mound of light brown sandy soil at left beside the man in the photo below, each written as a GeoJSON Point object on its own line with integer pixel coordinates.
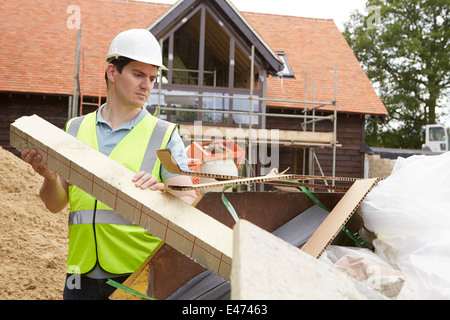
{"type": "Point", "coordinates": [33, 241]}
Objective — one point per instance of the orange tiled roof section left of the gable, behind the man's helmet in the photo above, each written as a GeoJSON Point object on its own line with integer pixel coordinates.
{"type": "Point", "coordinates": [37, 49]}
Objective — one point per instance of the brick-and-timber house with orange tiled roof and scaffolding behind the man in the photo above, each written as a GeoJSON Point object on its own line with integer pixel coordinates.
{"type": "Point", "coordinates": [228, 70]}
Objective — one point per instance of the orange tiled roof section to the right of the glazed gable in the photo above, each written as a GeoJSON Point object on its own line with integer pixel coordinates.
{"type": "Point", "coordinates": [313, 48]}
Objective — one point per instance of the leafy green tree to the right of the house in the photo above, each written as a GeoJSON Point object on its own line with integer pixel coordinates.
{"type": "Point", "coordinates": [403, 47]}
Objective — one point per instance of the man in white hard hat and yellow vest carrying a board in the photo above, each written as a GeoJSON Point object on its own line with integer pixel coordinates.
{"type": "Point", "coordinates": [103, 244]}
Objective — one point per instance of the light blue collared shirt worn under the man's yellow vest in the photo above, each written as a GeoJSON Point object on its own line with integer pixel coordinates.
{"type": "Point", "coordinates": [107, 140]}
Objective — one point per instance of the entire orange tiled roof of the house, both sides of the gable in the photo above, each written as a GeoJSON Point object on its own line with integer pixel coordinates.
{"type": "Point", "coordinates": [37, 50]}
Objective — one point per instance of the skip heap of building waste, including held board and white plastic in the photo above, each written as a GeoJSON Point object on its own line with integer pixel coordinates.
{"type": "Point", "coordinates": [405, 224]}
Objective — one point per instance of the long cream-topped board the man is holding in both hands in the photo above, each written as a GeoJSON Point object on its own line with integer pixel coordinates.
{"type": "Point", "coordinates": [180, 225]}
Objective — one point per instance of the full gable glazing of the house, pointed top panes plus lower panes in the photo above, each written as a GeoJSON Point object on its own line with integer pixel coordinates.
{"type": "Point", "coordinates": [205, 57]}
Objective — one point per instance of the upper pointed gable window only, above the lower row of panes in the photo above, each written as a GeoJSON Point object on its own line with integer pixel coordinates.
{"type": "Point", "coordinates": [201, 51]}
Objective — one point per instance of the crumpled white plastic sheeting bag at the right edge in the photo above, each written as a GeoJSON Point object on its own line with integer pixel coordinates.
{"type": "Point", "coordinates": [410, 212]}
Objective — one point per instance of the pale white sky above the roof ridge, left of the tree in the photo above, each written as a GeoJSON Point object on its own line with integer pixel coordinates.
{"type": "Point", "coordinates": [339, 11]}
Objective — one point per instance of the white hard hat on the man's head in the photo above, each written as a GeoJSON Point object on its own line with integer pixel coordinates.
{"type": "Point", "coordinates": [137, 44]}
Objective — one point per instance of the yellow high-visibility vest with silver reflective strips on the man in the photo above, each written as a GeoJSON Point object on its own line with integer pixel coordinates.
{"type": "Point", "coordinates": [96, 232]}
